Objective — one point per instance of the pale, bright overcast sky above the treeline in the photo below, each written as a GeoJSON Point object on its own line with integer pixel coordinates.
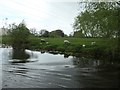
{"type": "Point", "coordinates": [40, 14]}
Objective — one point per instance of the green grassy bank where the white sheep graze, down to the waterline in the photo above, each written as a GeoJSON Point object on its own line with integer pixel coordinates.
{"type": "Point", "coordinates": [103, 48]}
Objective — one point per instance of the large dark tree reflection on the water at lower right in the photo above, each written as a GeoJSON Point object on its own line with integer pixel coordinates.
{"type": "Point", "coordinates": [97, 73]}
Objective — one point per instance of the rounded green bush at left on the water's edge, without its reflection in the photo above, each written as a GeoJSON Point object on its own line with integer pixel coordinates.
{"type": "Point", "coordinates": [19, 35]}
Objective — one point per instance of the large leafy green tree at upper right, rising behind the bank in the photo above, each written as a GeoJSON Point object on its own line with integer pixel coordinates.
{"type": "Point", "coordinates": [99, 19]}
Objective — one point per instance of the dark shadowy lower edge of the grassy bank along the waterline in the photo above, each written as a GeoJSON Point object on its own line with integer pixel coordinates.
{"type": "Point", "coordinates": [94, 52]}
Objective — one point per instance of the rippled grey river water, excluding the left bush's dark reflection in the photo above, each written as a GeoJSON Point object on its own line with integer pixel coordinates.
{"type": "Point", "coordinates": [46, 70]}
